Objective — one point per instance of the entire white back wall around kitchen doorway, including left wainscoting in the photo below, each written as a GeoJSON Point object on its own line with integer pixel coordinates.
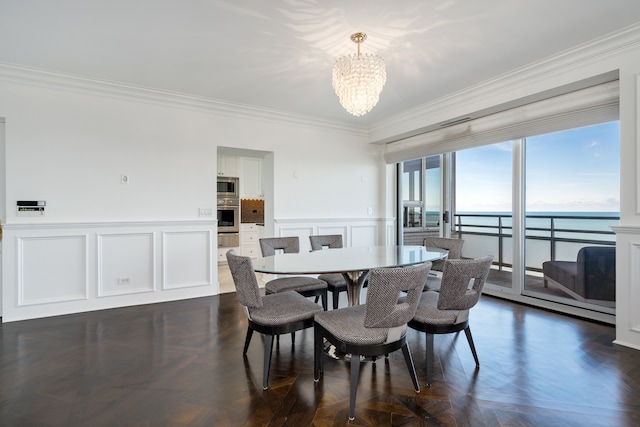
{"type": "Point", "coordinates": [68, 144]}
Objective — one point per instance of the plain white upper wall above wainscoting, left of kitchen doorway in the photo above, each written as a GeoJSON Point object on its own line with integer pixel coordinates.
{"type": "Point", "coordinates": [70, 149]}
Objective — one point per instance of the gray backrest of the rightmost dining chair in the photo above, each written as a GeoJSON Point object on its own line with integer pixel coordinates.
{"type": "Point", "coordinates": [455, 290]}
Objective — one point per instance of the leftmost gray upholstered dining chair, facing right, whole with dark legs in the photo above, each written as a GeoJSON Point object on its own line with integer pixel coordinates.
{"type": "Point", "coordinates": [271, 315]}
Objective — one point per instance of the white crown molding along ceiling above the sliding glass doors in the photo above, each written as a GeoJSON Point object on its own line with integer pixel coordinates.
{"type": "Point", "coordinates": [427, 116]}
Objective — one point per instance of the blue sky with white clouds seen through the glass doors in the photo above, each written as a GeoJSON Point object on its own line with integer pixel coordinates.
{"type": "Point", "coordinates": [569, 171]}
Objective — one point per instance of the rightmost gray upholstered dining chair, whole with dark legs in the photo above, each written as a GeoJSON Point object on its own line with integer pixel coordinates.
{"type": "Point", "coordinates": [447, 311]}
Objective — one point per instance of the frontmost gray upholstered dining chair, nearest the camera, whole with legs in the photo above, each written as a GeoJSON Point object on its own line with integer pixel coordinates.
{"type": "Point", "coordinates": [376, 328]}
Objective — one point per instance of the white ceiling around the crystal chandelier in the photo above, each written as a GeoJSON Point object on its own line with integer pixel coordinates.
{"type": "Point", "coordinates": [278, 54]}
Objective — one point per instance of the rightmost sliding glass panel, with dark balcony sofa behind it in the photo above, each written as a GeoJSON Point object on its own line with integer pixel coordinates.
{"type": "Point", "coordinates": [572, 191]}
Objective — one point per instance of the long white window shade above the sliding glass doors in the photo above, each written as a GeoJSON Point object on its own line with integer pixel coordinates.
{"type": "Point", "coordinates": [584, 107]}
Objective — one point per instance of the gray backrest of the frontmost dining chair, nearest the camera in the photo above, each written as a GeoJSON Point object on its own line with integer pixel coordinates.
{"type": "Point", "coordinates": [384, 308]}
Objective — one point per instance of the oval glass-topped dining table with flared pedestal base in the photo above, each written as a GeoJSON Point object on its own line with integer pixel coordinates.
{"type": "Point", "coordinates": [354, 263]}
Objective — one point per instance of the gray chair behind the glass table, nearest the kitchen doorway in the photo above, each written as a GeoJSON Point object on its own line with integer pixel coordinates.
{"type": "Point", "coordinates": [304, 285]}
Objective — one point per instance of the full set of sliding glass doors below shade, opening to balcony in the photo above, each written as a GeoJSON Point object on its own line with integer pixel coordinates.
{"type": "Point", "coordinates": [530, 202]}
